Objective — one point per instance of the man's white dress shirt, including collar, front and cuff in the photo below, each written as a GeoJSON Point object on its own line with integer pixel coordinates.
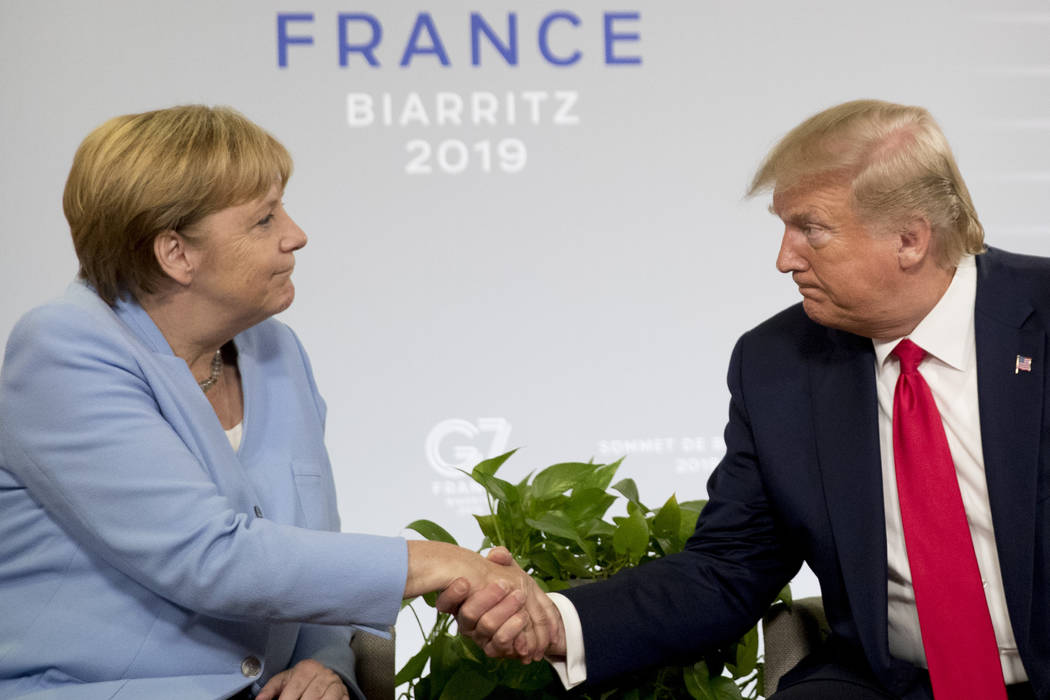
{"type": "Point", "coordinates": [951, 371]}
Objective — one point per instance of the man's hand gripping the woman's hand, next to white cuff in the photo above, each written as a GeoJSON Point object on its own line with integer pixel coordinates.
{"type": "Point", "coordinates": [500, 621]}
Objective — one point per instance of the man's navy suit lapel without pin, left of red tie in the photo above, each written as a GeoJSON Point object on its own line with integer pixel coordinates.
{"type": "Point", "coordinates": [846, 416]}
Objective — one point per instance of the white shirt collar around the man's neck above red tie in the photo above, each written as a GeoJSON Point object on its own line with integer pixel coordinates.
{"type": "Point", "coordinates": [948, 330]}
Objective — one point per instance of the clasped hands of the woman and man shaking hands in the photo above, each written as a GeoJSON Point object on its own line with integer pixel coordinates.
{"type": "Point", "coordinates": [495, 603]}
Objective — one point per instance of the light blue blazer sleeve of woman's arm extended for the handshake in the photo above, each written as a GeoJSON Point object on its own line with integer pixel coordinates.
{"type": "Point", "coordinates": [96, 430]}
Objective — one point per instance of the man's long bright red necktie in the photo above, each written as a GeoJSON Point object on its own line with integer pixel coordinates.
{"type": "Point", "coordinates": [957, 632]}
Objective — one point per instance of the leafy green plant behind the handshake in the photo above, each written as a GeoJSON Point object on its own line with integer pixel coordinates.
{"type": "Point", "coordinates": [555, 525]}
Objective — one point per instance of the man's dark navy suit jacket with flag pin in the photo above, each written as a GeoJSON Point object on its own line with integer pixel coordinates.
{"type": "Point", "coordinates": [802, 482]}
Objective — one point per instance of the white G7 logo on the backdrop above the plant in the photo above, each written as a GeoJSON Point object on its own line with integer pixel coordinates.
{"type": "Point", "coordinates": [467, 451]}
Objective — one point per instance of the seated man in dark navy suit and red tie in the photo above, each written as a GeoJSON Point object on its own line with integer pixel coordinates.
{"type": "Point", "coordinates": [888, 432]}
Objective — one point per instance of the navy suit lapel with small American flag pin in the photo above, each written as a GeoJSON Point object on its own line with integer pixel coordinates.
{"type": "Point", "coordinates": [1011, 410]}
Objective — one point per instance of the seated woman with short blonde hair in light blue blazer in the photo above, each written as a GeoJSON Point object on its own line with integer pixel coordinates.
{"type": "Point", "coordinates": [169, 523]}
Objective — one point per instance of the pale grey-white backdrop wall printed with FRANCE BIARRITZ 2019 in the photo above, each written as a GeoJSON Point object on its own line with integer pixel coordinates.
{"type": "Point", "coordinates": [541, 242]}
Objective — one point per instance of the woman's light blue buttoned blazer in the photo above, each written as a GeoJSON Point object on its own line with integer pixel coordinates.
{"type": "Point", "coordinates": [140, 556]}
